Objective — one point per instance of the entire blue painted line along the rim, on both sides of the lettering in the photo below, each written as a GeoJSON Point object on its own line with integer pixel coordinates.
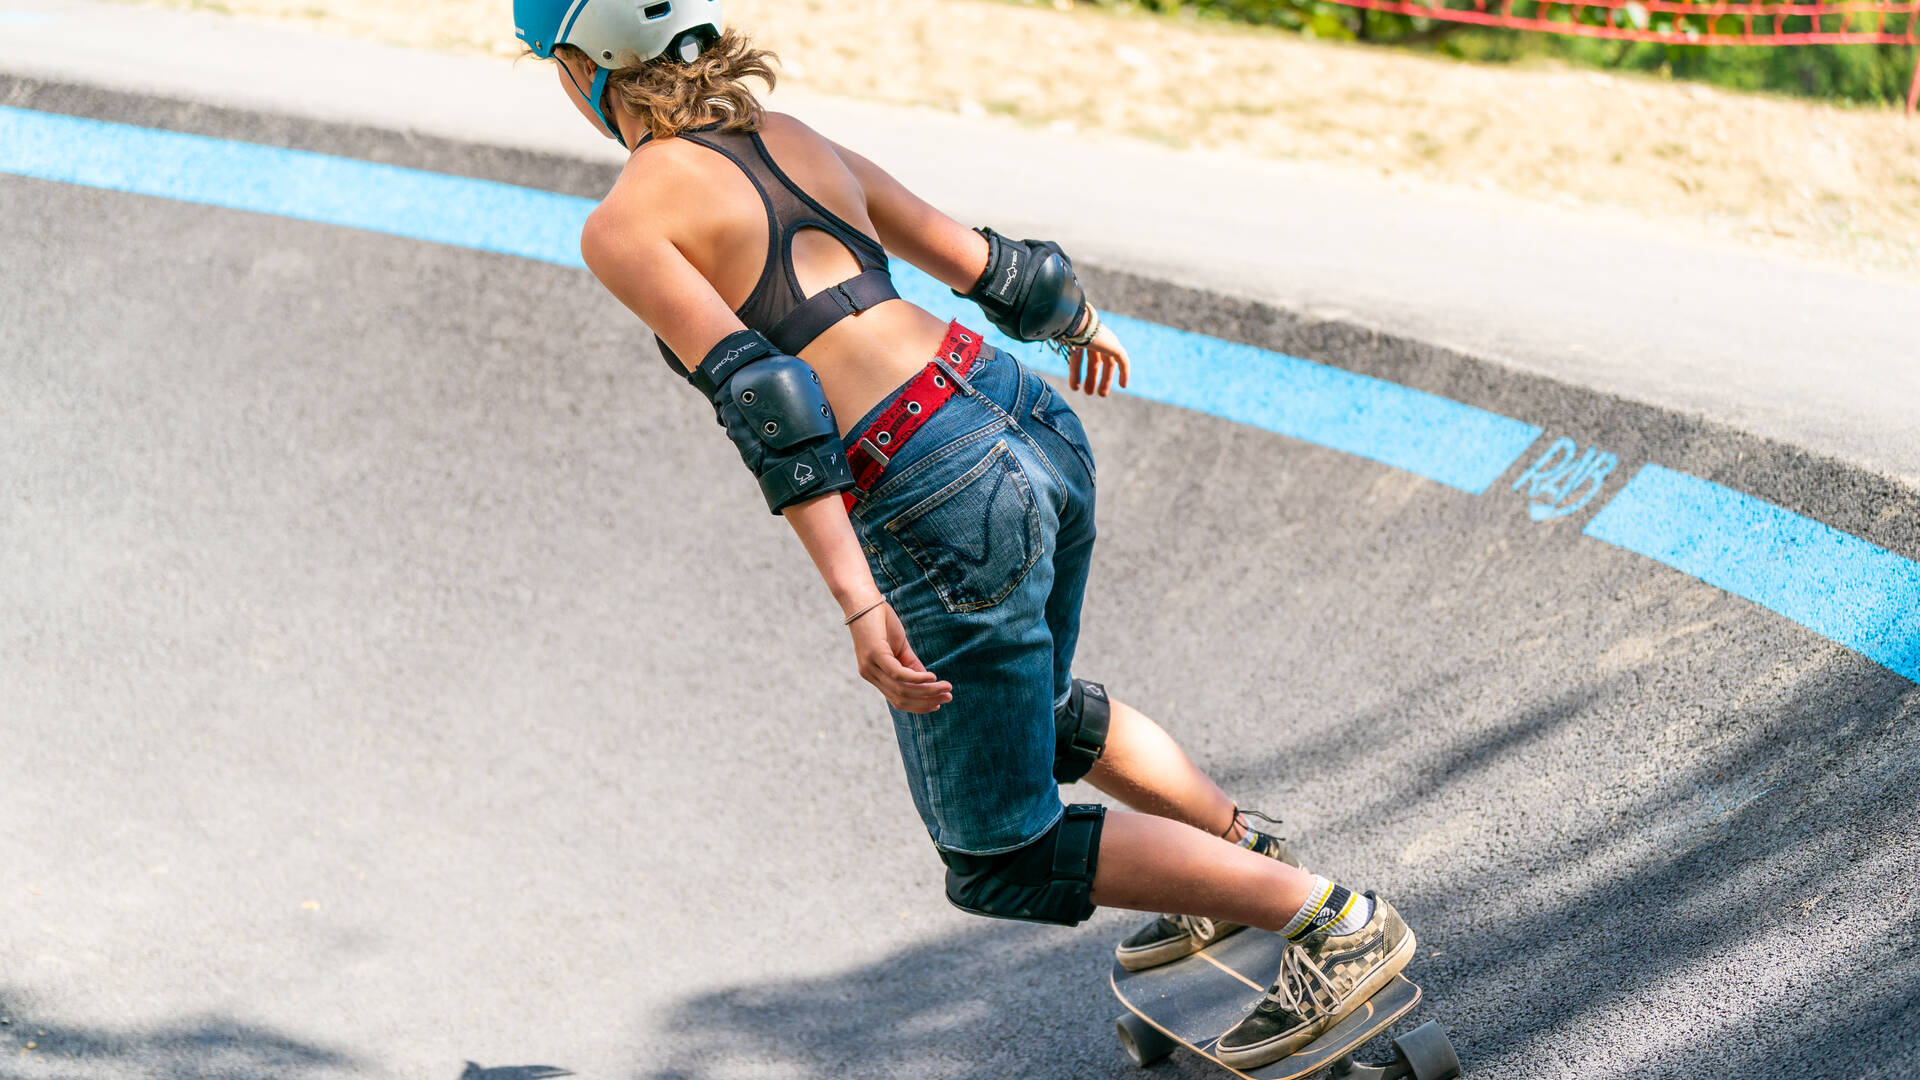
{"type": "Point", "coordinates": [1836, 585]}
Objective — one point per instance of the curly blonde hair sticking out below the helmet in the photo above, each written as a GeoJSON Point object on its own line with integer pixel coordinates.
{"type": "Point", "coordinates": [671, 95]}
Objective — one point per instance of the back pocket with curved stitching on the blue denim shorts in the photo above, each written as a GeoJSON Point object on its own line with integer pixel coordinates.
{"type": "Point", "coordinates": [978, 537]}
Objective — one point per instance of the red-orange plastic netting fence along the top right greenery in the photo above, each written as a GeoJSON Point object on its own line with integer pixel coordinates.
{"type": "Point", "coordinates": [1689, 22]}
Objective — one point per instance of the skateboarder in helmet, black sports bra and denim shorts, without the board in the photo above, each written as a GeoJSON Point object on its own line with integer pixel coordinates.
{"type": "Point", "coordinates": [946, 495]}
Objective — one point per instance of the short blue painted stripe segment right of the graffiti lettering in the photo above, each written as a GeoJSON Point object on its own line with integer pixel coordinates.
{"type": "Point", "coordinates": [1840, 587]}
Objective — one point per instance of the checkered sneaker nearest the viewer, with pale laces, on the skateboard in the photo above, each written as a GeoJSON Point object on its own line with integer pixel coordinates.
{"type": "Point", "coordinates": [1322, 979]}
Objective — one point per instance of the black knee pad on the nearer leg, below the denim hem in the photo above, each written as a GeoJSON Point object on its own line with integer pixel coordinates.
{"type": "Point", "coordinates": [1047, 881]}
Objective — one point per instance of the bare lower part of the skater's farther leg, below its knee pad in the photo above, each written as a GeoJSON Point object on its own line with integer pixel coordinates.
{"type": "Point", "coordinates": [1151, 773]}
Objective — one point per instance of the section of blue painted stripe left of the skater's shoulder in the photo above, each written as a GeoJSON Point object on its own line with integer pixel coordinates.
{"type": "Point", "coordinates": [295, 184]}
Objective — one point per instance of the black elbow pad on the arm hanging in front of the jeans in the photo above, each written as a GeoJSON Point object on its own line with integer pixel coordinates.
{"type": "Point", "coordinates": [779, 418]}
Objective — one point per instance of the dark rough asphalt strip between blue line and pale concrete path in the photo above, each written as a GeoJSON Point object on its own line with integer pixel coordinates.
{"type": "Point", "coordinates": [1848, 497]}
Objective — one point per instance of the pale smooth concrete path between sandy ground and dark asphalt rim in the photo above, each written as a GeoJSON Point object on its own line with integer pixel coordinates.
{"type": "Point", "coordinates": [1783, 351]}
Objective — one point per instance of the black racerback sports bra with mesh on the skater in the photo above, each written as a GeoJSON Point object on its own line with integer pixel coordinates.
{"type": "Point", "coordinates": [777, 305]}
